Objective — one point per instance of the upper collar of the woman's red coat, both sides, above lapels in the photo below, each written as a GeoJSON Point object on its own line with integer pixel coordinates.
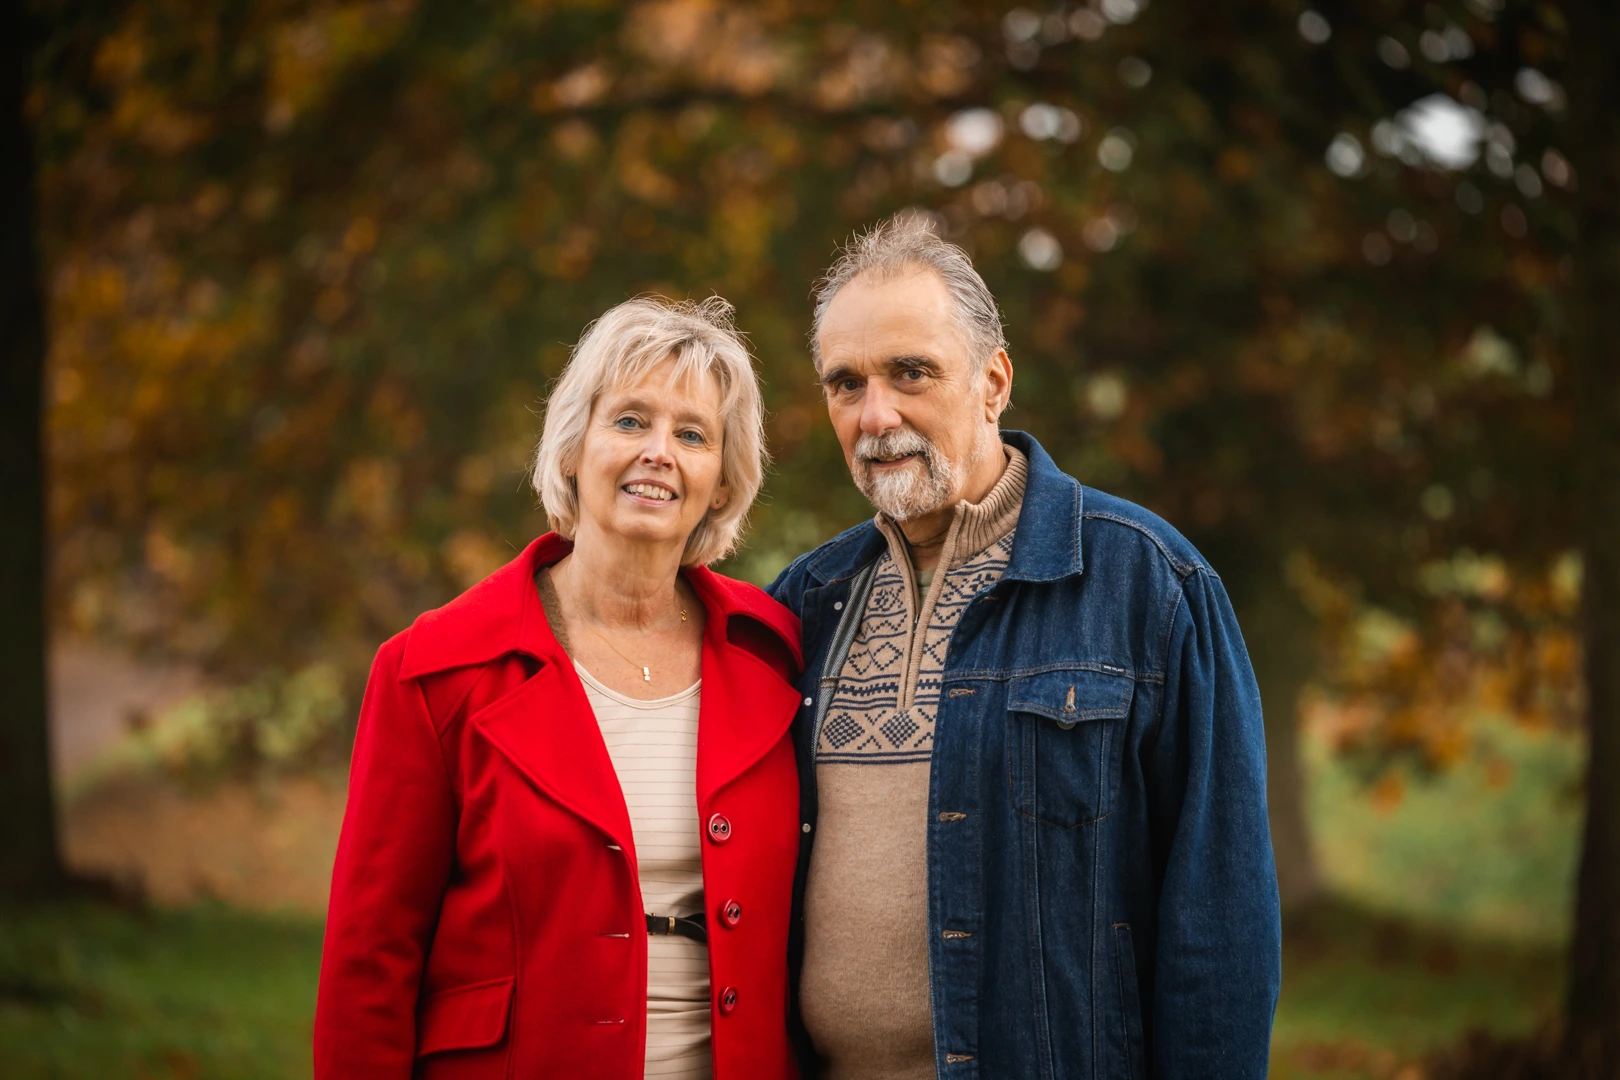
{"type": "Point", "coordinates": [503, 614]}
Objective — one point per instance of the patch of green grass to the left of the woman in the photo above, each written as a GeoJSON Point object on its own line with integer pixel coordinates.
{"type": "Point", "coordinates": [108, 993]}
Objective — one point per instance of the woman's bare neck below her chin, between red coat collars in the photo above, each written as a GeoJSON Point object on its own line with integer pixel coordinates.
{"type": "Point", "coordinates": [615, 584]}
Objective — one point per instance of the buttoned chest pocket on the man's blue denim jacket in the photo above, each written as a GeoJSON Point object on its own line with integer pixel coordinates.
{"type": "Point", "coordinates": [1059, 734]}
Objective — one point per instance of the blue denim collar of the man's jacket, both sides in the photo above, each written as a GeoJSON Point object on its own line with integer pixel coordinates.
{"type": "Point", "coordinates": [1046, 548]}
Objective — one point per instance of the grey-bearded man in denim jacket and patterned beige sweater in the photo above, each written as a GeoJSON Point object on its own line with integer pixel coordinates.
{"type": "Point", "coordinates": [1033, 770]}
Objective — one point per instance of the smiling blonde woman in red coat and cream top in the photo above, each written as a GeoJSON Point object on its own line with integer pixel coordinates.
{"type": "Point", "coordinates": [573, 809]}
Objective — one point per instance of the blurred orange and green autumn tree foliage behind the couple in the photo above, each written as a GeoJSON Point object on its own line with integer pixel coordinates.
{"type": "Point", "coordinates": [312, 265]}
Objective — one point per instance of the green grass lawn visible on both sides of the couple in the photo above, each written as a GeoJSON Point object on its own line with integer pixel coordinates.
{"type": "Point", "coordinates": [1454, 916]}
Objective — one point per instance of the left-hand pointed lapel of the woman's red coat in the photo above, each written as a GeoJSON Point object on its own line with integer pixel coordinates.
{"type": "Point", "coordinates": [548, 731]}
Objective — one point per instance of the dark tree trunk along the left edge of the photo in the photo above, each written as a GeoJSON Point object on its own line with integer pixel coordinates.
{"type": "Point", "coordinates": [28, 857]}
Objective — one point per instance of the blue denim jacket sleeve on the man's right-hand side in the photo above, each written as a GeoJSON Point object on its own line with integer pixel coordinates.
{"type": "Point", "coordinates": [1219, 953]}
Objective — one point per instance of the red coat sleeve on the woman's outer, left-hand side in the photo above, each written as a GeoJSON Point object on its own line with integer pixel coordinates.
{"type": "Point", "coordinates": [393, 864]}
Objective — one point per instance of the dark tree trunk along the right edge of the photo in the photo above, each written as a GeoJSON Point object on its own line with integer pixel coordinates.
{"type": "Point", "coordinates": [1593, 1037]}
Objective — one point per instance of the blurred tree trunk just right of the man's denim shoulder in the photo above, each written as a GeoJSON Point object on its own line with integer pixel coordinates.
{"type": "Point", "coordinates": [1281, 637]}
